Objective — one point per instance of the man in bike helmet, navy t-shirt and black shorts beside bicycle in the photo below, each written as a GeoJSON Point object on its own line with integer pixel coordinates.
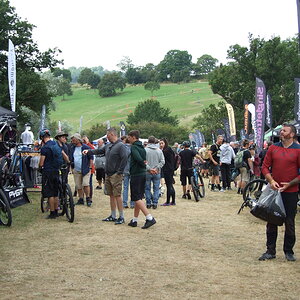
{"type": "Point", "coordinates": [50, 174]}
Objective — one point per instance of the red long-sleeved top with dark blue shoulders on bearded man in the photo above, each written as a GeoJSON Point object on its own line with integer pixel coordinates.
{"type": "Point", "coordinates": [284, 162]}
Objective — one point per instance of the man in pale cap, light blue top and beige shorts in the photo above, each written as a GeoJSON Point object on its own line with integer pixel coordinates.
{"type": "Point", "coordinates": [81, 168]}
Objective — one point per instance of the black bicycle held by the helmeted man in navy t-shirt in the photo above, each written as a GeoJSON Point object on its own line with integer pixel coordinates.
{"type": "Point", "coordinates": [65, 197]}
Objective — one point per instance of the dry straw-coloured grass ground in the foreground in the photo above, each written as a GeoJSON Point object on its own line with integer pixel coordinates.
{"type": "Point", "coordinates": [198, 250]}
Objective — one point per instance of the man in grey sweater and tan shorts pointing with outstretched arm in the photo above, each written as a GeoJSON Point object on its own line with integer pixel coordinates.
{"type": "Point", "coordinates": [116, 159]}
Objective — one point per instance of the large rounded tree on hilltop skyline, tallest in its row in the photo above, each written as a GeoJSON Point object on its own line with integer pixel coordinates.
{"type": "Point", "coordinates": [174, 61]}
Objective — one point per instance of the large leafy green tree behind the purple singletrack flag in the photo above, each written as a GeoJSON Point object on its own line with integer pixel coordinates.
{"type": "Point", "coordinates": [274, 61]}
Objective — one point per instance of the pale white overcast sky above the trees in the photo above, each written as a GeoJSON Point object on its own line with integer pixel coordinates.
{"type": "Point", "coordinates": [100, 33]}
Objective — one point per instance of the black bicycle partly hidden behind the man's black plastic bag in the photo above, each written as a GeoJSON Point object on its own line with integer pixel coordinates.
{"type": "Point", "coordinates": [252, 192]}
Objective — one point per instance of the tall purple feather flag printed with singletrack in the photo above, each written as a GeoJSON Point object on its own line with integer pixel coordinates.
{"type": "Point", "coordinates": [260, 111]}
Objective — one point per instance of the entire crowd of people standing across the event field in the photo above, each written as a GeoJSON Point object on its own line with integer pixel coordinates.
{"type": "Point", "coordinates": [123, 164]}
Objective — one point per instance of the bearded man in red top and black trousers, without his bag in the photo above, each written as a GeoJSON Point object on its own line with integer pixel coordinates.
{"type": "Point", "coordinates": [283, 160]}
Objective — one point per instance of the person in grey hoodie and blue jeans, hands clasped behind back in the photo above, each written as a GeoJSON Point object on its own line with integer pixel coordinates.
{"type": "Point", "coordinates": [155, 161]}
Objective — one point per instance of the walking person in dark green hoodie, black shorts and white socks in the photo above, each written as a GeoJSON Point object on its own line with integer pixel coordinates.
{"type": "Point", "coordinates": [138, 180]}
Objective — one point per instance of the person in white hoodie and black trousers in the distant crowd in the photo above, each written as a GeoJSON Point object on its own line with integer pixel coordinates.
{"type": "Point", "coordinates": [226, 156]}
